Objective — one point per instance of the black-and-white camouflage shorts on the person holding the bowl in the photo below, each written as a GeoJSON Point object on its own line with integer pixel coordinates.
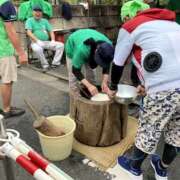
{"type": "Point", "coordinates": [161, 114]}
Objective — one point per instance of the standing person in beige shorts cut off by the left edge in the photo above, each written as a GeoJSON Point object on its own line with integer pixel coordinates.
{"type": "Point", "coordinates": [9, 42]}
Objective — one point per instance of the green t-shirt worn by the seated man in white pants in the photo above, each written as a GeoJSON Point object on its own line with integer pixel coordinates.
{"type": "Point", "coordinates": [40, 28]}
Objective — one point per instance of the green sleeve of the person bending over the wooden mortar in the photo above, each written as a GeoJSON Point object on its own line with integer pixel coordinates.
{"type": "Point", "coordinates": [80, 57]}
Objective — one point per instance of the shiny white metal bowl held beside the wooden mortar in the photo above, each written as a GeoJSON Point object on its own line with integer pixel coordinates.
{"type": "Point", "coordinates": [126, 94]}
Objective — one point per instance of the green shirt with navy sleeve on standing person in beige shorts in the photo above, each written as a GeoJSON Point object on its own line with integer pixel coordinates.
{"type": "Point", "coordinates": [7, 14]}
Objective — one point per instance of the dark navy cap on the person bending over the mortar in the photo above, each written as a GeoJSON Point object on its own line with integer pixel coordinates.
{"type": "Point", "coordinates": [104, 54]}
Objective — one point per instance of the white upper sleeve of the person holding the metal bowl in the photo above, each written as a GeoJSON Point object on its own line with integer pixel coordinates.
{"type": "Point", "coordinates": [123, 47]}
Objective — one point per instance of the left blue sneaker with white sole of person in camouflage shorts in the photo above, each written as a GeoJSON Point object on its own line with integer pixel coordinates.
{"type": "Point", "coordinates": [125, 164]}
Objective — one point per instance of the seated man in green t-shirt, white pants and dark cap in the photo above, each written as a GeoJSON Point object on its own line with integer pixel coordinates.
{"type": "Point", "coordinates": [42, 36]}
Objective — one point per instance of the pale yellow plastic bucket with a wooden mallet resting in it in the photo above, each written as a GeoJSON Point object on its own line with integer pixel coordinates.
{"type": "Point", "coordinates": [60, 147]}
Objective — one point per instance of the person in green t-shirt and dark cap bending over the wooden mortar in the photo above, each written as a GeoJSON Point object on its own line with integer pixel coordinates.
{"type": "Point", "coordinates": [88, 48]}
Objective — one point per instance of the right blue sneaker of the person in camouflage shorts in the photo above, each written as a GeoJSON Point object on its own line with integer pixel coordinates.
{"type": "Point", "coordinates": [160, 173]}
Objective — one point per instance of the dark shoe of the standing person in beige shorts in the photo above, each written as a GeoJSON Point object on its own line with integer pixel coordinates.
{"type": "Point", "coordinates": [14, 111]}
